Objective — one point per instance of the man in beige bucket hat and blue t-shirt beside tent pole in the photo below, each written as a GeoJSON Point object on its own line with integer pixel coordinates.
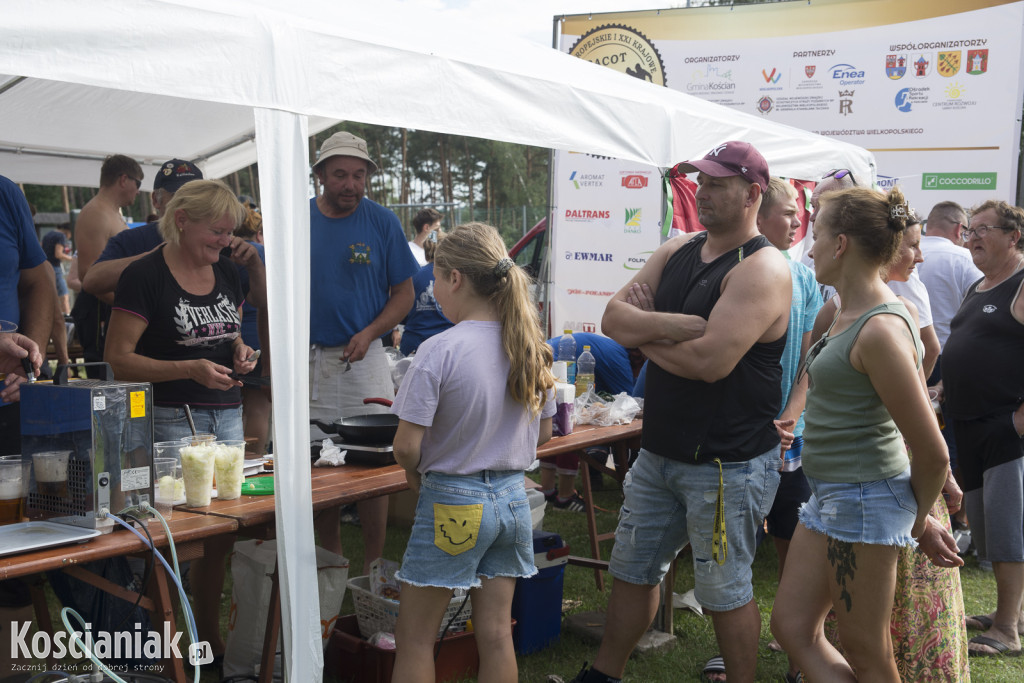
{"type": "Point", "coordinates": [362, 272]}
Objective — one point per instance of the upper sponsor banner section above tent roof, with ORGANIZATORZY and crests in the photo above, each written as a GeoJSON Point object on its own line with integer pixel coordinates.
{"type": "Point", "coordinates": [927, 87]}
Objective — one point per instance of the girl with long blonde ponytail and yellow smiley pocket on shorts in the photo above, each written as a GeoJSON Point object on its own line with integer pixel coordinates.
{"type": "Point", "coordinates": [474, 407]}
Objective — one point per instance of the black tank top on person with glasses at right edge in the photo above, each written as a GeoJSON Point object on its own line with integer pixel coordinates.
{"type": "Point", "coordinates": [983, 373]}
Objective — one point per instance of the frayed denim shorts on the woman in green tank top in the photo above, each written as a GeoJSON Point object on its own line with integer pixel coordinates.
{"type": "Point", "coordinates": [879, 514]}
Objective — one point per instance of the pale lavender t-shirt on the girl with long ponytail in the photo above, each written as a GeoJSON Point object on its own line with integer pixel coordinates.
{"type": "Point", "coordinates": [457, 390]}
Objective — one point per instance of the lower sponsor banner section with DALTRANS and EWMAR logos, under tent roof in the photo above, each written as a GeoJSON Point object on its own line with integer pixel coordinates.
{"type": "Point", "coordinates": [603, 234]}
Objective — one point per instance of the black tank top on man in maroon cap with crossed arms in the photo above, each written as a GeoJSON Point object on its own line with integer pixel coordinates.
{"type": "Point", "coordinates": [732, 419]}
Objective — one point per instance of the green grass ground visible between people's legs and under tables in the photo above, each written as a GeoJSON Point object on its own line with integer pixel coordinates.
{"type": "Point", "coordinates": [696, 638]}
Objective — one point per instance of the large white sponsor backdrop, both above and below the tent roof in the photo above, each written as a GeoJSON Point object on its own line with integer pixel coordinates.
{"type": "Point", "coordinates": [932, 88]}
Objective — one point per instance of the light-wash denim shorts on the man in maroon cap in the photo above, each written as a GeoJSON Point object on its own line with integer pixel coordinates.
{"type": "Point", "coordinates": [669, 504]}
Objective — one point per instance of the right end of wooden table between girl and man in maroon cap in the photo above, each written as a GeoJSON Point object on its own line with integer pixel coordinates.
{"type": "Point", "coordinates": [621, 439]}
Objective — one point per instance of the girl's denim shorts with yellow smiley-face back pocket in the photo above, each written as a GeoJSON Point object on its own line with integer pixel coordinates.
{"type": "Point", "coordinates": [470, 527]}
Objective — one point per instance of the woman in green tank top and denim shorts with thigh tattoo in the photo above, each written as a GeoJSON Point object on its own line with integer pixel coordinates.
{"type": "Point", "coordinates": [867, 396]}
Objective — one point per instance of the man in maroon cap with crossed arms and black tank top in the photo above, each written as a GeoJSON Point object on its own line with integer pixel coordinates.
{"type": "Point", "coordinates": [711, 311]}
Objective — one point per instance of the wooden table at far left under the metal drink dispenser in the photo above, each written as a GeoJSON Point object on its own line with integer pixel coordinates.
{"type": "Point", "coordinates": [190, 531]}
